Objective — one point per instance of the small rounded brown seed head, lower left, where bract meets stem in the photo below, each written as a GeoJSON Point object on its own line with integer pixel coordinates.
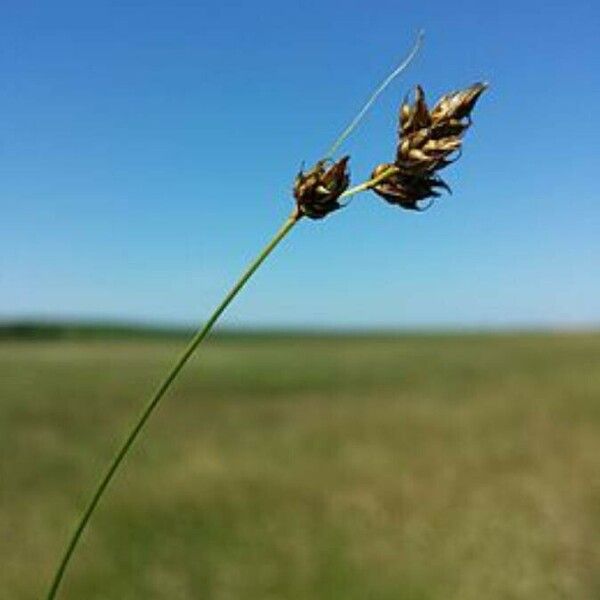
{"type": "Point", "coordinates": [317, 191]}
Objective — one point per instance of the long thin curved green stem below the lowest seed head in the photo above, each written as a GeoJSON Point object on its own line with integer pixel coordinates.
{"type": "Point", "coordinates": [157, 396]}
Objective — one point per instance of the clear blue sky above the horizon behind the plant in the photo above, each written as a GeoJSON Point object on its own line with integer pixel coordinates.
{"type": "Point", "coordinates": [147, 151]}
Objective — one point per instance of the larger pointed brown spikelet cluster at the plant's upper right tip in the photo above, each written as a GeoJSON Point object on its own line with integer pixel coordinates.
{"type": "Point", "coordinates": [429, 140]}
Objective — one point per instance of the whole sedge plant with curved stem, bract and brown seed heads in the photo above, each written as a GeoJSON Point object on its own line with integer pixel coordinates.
{"type": "Point", "coordinates": [428, 141]}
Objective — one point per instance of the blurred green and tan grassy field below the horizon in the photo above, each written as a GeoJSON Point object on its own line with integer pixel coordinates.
{"type": "Point", "coordinates": [417, 467]}
